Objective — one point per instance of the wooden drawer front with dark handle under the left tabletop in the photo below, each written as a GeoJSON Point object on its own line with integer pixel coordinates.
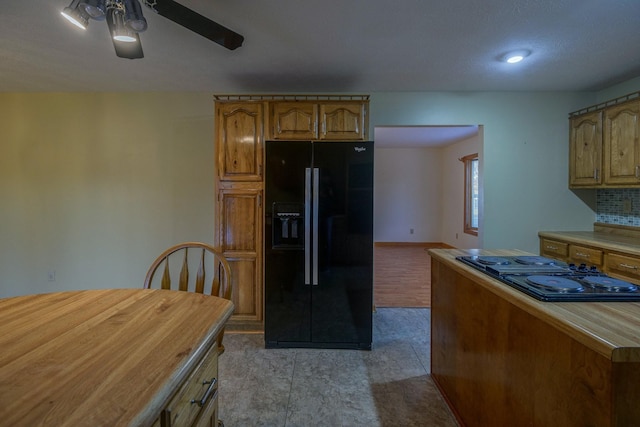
{"type": "Point", "coordinates": [198, 391]}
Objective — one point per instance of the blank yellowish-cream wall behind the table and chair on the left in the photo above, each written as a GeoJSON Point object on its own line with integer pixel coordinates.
{"type": "Point", "coordinates": [94, 186]}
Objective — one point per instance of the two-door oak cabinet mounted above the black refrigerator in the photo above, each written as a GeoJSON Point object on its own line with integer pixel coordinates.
{"type": "Point", "coordinates": [313, 120]}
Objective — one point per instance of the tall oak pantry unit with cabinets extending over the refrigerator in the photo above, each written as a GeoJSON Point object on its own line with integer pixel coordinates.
{"type": "Point", "coordinates": [242, 125]}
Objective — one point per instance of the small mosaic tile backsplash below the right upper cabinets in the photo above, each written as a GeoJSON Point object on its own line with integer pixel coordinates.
{"type": "Point", "coordinates": [612, 206]}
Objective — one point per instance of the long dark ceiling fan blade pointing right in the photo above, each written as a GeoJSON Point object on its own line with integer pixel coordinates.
{"type": "Point", "coordinates": [197, 23]}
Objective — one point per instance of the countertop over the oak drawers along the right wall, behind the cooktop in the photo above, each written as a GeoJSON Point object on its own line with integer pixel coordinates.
{"type": "Point", "coordinates": [598, 239]}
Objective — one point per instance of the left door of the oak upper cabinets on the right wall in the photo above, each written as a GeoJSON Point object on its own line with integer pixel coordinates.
{"type": "Point", "coordinates": [585, 150]}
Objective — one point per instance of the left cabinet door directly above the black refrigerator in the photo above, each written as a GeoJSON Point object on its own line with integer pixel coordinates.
{"type": "Point", "coordinates": [294, 120]}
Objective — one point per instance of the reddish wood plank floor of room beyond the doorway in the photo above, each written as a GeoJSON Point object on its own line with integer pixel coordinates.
{"type": "Point", "coordinates": [402, 275]}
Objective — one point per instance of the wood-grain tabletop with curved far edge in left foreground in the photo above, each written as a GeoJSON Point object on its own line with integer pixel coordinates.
{"type": "Point", "coordinates": [104, 357]}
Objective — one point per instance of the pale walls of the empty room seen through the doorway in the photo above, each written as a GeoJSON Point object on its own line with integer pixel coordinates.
{"type": "Point", "coordinates": [423, 189]}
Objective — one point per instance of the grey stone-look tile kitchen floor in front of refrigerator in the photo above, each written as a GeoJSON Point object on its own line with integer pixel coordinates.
{"type": "Point", "coordinates": [387, 386]}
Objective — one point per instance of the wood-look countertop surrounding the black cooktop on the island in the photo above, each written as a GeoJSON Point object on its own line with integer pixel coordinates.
{"type": "Point", "coordinates": [611, 329]}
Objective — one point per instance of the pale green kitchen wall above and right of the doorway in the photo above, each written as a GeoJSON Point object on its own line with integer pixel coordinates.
{"type": "Point", "coordinates": [525, 155]}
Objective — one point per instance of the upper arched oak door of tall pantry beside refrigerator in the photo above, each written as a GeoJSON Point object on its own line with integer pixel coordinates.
{"type": "Point", "coordinates": [239, 141]}
